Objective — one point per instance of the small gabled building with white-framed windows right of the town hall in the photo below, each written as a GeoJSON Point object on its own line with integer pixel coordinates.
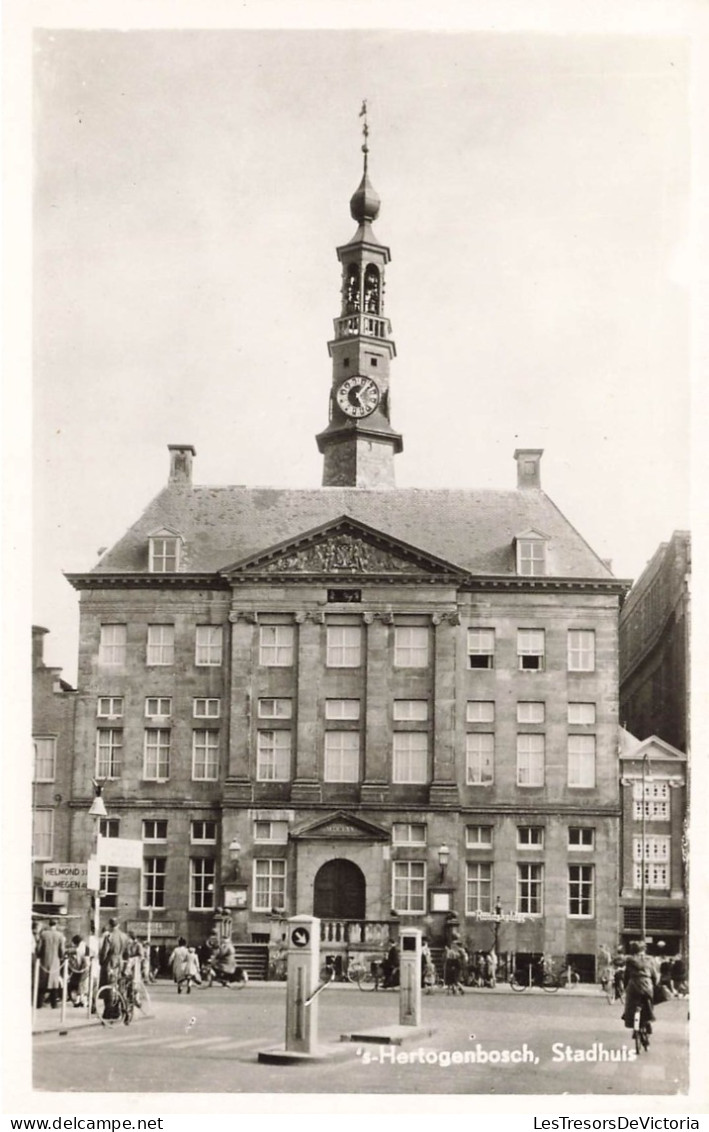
{"type": "Point", "coordinates": [654, 793]}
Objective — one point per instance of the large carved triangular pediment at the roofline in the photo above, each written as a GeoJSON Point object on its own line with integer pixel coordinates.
{"type": "Point", "coordinates": [345, 548]}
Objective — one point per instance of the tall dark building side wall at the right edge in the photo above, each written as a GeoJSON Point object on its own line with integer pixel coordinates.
{"type": "Point", "coordinates": [655, 647]}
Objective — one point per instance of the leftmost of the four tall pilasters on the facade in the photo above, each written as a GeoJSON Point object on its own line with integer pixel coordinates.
{"type": "Point", "coordinates": [243, 644]}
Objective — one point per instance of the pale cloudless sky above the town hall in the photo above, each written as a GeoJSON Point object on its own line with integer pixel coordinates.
{"type": "Point", "coordinates": [191, 187]}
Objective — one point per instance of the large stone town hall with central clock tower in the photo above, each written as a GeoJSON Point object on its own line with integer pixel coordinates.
{"type": "Point", "coordinates": [366, 704]}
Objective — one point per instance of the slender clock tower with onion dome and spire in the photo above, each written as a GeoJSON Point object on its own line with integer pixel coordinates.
{"type": "Point", "coordinates": [360, 443]}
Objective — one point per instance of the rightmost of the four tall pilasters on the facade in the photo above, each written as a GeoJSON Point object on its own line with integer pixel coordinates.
{"type": "Point", "coordinates": [445, 785]}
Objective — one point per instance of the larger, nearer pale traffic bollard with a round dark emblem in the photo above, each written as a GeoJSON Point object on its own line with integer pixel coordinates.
{"type": "Point", "coordinates": [304, 957]}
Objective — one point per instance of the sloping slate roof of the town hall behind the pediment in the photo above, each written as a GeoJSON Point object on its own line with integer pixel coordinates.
{"type": "Point", "coordinates": [473, 530]}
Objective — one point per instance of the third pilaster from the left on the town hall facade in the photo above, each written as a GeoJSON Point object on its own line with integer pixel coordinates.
{"type": "Point", "coordinates": [378, 708]}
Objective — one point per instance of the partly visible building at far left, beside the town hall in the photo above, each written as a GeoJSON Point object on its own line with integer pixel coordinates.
{"type": "Point", "coordinates": [54, 702]}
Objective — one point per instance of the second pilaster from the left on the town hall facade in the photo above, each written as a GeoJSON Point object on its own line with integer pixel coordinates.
{"type": "Point", "coordinates": [307, 782]}
